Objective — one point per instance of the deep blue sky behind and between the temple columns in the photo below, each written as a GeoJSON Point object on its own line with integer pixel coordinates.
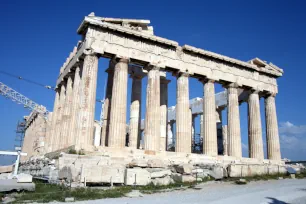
{"type": "Point", "coordinates": [37, 36]}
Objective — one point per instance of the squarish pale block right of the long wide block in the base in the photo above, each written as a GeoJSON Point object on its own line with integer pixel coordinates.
{"type": "Point", "coordinates": [139, 177]}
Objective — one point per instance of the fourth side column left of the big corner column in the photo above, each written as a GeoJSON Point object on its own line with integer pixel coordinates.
{"type": "Point", "coordinates": [53, 121]}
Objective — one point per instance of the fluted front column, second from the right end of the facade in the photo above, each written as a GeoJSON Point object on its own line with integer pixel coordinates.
{"type": "Point", "coordinates": [255, 130]}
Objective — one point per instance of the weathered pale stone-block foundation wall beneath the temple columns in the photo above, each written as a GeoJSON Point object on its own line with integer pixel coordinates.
{"type": "Point", "coordinates": [137, 168]}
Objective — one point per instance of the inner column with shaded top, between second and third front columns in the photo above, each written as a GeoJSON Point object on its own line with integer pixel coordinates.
{"type": "Point", "coordinates": [135, 114]}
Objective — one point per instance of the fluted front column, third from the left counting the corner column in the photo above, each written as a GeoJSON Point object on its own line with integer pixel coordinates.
{"type": "Point", "coordinates": [152, 122]}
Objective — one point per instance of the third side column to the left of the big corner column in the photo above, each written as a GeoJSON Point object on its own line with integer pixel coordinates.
{"type": "Point", "coordinates": [58, 130]}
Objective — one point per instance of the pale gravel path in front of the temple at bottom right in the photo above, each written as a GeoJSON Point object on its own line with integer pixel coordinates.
{"type": "Point", "coordinates": [291, 191]}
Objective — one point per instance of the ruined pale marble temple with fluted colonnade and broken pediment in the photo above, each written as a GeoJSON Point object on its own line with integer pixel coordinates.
{"type": "Point", "coordinates": [135, 52]}
